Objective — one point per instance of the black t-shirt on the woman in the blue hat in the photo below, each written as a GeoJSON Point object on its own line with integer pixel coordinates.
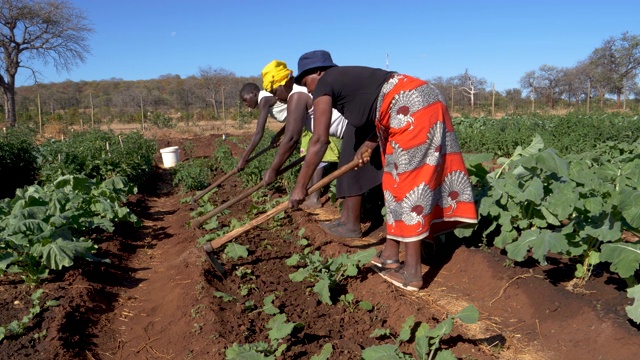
{"type": "Point", "coordinates": [354, 91]}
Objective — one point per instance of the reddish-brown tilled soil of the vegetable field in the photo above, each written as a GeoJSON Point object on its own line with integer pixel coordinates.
{"type": "Point", "coordinates": [155, 299]}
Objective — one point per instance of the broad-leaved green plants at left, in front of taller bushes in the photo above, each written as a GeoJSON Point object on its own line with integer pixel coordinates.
{"type": "Point", "coordinates": [42, 227]}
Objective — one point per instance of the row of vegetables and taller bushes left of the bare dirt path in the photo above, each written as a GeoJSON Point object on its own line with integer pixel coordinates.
{"type": "Point", "coordinates": [83, 182]}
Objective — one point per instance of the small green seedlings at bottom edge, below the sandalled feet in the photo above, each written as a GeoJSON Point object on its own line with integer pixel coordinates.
{"type": "Point", "coordinates": [427, 340]}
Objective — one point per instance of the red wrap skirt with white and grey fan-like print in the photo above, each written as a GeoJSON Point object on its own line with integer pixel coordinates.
{"type": "Point", "coordinates": [425, 183]}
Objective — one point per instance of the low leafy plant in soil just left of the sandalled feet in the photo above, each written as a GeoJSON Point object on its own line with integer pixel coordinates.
{"type": "Point", "coordinates": [327, 274]}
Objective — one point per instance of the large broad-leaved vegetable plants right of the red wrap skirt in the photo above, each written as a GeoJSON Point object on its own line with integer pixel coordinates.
{"type": "Point", "coordinates": [536, 203]}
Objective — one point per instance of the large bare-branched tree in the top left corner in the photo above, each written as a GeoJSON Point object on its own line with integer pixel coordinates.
{"type": "Point", "coordinates": [39, 31]}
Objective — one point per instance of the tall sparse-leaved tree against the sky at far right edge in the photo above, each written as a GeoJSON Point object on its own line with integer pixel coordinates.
{"type": "Point", "coordinates": [617, 62]}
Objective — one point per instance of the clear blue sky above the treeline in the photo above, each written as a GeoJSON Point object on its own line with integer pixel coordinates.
{"type": "Point", "coordinates": [496, 40]}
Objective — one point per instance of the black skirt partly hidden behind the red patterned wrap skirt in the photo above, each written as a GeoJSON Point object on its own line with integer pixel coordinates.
{"type": "Point", "coordinates": [357, 182]}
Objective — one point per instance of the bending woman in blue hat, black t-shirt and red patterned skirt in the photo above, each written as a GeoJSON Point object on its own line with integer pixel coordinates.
{"type": "Point", "coordinates": [426, 187]}
